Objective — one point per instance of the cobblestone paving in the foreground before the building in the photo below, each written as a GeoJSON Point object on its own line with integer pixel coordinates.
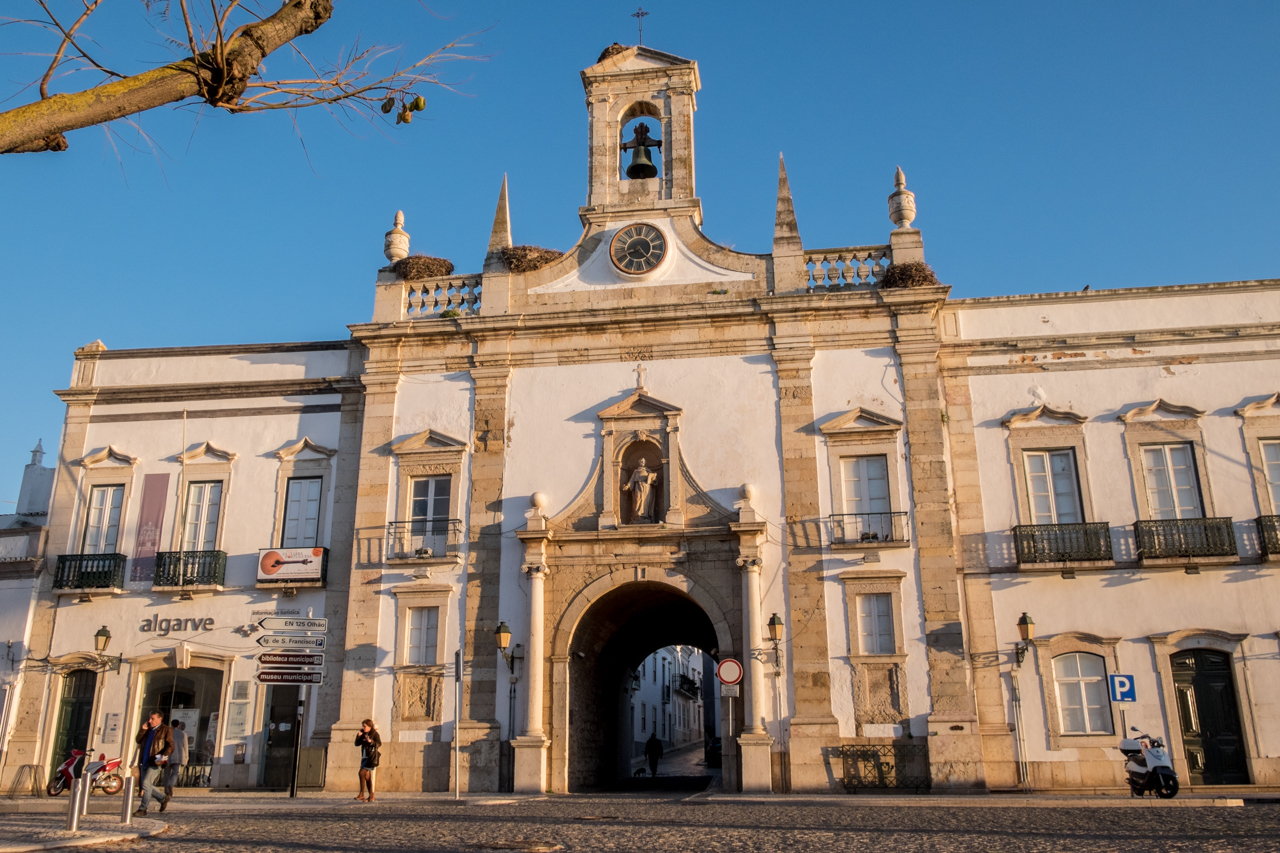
{"type": "Point", "coordinates": [675, 824]}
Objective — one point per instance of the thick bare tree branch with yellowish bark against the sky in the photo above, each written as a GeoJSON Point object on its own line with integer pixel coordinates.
{"type": "Point", "coordinates": [39, 127]}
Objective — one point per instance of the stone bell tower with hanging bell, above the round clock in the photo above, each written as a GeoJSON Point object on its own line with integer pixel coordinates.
{"type": "Point", "coordinates": [639, 83]}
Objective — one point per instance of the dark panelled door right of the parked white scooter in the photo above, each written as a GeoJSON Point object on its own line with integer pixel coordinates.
{"type": "Point", "coordinates": [1210, 718]}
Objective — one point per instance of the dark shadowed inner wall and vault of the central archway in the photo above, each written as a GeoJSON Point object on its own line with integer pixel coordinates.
{"type": "Point", "coordinates": [614, 637]}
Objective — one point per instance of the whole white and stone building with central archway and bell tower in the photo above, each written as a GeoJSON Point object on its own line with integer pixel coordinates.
{"type": "Point", "coordinates": [653, 441]}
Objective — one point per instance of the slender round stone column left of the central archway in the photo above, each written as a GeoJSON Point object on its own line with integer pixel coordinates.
{"type": "Point", "coordinates": [531, 772]}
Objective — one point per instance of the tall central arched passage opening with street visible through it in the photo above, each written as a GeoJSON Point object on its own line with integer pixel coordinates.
{"type": "Point", "coordinates": [619, 638]}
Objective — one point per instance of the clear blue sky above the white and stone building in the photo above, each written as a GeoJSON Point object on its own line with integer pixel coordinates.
{"type": "Point", "coordinates": [1049, 145]}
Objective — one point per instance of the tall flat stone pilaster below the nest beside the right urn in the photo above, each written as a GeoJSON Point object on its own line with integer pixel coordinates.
{"type": "Point", "coordinates": [956, 746]}
